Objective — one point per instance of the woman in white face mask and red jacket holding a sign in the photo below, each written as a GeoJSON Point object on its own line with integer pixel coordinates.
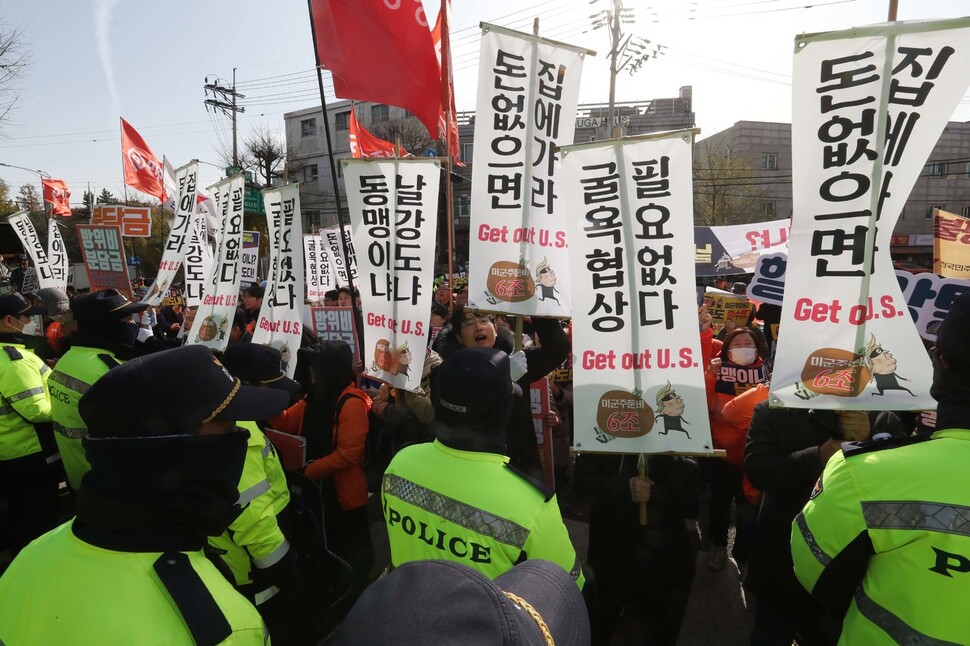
{"type": "Point", "coordinates": [739, 366]}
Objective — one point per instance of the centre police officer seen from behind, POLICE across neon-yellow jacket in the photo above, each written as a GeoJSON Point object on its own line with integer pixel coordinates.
{"type": "Point", "coordinates": [458, 498]}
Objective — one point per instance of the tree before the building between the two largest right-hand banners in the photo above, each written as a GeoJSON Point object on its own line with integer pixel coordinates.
{"type": "Point", "coordinates": [724, 191]}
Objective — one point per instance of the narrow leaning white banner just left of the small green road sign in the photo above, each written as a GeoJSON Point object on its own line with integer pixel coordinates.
{"type": "Point", "coordinates": [220, 296]}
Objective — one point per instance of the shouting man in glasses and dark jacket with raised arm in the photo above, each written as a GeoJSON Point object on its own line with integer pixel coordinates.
{"type": "Point", "coordinates": [468, 329]}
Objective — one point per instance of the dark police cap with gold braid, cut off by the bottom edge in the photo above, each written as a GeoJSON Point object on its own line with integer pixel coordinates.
{"type": "Point", "coordinates": [438, 602]}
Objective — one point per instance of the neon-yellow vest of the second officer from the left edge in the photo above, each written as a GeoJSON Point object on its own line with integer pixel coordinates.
{"type": "Point", "coordinates": [75, 372]}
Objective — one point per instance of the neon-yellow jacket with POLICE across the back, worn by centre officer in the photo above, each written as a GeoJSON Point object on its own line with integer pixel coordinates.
{"type": "Point", "coordinates": [469, 507]}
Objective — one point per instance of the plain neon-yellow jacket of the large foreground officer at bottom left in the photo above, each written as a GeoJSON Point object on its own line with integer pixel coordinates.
{"type": "Point", "coordinates": [62, 590]}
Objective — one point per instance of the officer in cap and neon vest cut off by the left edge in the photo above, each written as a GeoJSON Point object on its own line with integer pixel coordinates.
{"type": "Point", "coordinates": [29, 472]}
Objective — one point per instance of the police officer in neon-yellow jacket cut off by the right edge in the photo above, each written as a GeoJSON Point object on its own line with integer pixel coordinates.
{"type": "Point", "coordinates": [886, 533]}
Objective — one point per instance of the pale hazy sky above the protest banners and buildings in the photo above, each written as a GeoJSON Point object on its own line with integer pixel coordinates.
{"type": "Point", "coordinates": [94, 61]}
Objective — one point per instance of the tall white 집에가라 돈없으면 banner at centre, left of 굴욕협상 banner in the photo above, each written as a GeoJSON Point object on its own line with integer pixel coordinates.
{"type": "Point", "coordinates": [527, 94]}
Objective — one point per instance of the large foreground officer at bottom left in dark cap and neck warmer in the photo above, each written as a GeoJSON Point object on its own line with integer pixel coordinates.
{"type": "Point", "coordinates": [165, 457]}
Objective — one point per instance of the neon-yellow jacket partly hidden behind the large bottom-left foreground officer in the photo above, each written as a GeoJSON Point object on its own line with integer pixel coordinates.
{"type": "Point", "coordinates": [255, 538]}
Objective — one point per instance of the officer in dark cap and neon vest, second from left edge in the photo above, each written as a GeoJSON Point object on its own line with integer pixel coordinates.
{"type": "Point", "coordinates": [106, 334]}
